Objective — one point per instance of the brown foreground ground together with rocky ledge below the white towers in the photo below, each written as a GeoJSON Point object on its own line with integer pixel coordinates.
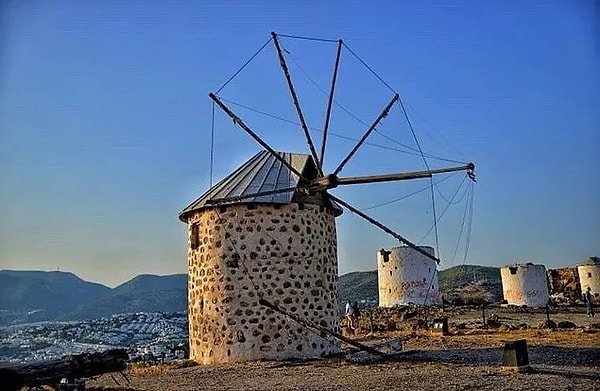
{"type": "Point", "coordinates": [566, 358]}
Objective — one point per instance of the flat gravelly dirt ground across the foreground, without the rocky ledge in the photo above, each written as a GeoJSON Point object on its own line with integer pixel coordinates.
{"type": "Point", "coordinates": [561, 360]}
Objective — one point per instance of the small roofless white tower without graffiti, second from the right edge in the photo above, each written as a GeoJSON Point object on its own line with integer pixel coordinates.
{"type": "Point", "coordinates": [526, 285]}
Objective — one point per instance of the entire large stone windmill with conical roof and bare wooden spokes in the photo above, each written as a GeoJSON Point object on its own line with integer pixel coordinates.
{"type": "Point", "coordinates": [262, 249]}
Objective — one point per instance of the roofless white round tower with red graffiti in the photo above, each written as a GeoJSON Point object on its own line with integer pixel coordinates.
{"type": "Point", "coordinates": [406, 277]}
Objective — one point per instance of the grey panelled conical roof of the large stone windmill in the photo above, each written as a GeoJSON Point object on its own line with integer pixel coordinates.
{"type": "Point", "coordinates": [262, 173]}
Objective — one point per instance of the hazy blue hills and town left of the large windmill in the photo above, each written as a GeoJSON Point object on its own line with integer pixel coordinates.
{"type": "Point", "coordinates": [31, 296]}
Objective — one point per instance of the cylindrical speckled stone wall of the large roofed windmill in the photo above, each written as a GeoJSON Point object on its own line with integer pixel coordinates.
{"type": "Point", "coordinates": [286, 253]}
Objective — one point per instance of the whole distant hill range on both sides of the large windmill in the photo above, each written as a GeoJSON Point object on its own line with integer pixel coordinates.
{"type": "Point", "coordinates": [29, 296]}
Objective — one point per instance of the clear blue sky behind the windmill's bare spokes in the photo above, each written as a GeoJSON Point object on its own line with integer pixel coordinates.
{"type": "Point", "coordinates": [105, 123]}
